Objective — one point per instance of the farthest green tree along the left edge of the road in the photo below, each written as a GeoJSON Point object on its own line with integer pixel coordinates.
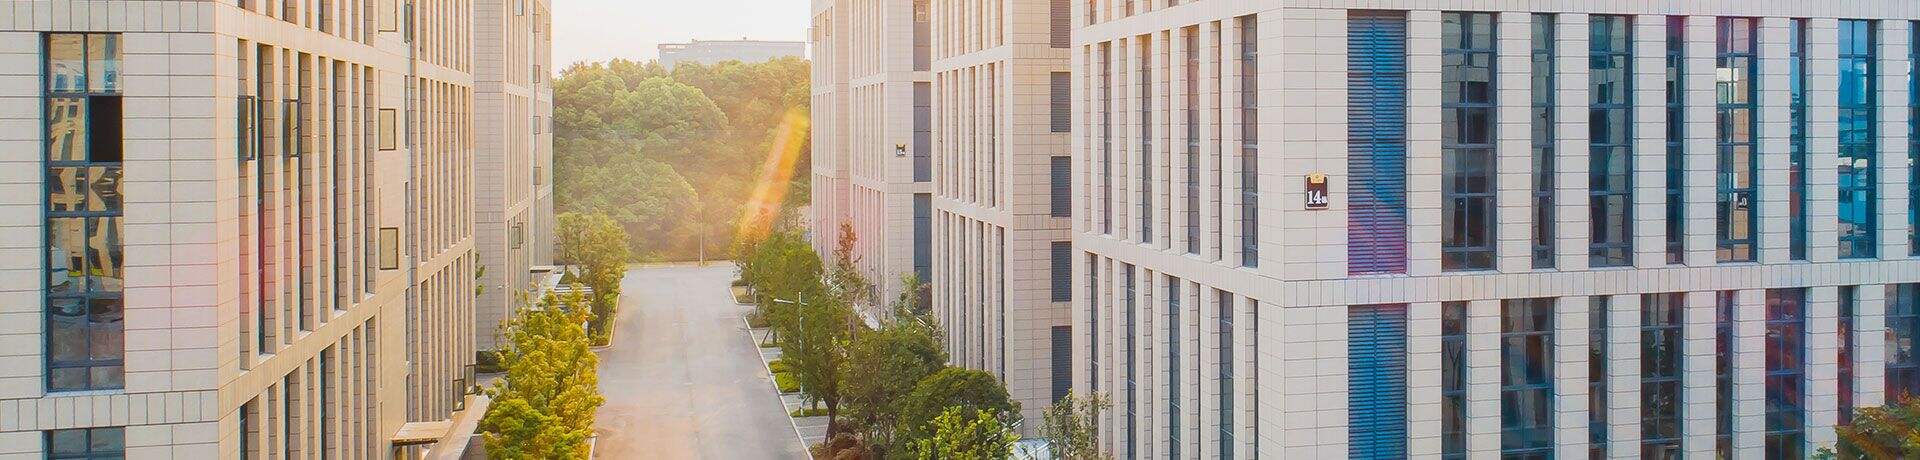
{"type": "Point", "coordinates": [596, 254]}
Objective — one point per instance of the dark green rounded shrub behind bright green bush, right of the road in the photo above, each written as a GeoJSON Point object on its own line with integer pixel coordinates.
{"type": "Point", "coordinates": [969, 390]}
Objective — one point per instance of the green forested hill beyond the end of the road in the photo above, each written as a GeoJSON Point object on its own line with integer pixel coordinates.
{"type": "Point", "coordinates": [675, 154]}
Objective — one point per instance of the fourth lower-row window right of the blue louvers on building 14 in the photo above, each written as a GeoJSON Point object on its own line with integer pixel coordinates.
{"type": "Point", "coordinates": [1660, 375]}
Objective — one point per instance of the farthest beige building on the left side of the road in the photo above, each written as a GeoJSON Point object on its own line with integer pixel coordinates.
{"type": "Point", "coordinates": [514, 156]}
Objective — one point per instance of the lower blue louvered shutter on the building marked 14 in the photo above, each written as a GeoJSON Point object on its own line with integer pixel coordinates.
{"type": "Point", "coordinates": [1378, 382]}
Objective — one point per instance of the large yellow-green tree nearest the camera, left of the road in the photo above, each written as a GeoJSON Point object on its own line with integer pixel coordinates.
{"type": "Point", "coordinates": [544, 405]}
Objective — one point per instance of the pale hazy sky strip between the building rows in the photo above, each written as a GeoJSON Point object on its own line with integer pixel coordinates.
{"type": "Point", "coordinates": [606, 30]}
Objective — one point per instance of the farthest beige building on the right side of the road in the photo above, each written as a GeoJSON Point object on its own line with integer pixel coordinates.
{"type": "Point", "coordinates": [873, 139]}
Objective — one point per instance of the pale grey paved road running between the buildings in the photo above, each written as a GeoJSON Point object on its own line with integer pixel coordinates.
{"type": "Point", "coordinates": [683, 379]}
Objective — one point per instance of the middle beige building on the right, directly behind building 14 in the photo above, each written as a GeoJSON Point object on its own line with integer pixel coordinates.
{"type": "Point", "coordinates": [1003, 252]}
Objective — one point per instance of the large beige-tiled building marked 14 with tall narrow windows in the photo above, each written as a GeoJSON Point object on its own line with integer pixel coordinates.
{"type": "Point", "coordinates": [1552, 229]}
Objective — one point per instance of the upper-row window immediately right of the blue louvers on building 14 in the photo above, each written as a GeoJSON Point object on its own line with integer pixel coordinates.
{"type": "Point", "coordinates": [1468, 141]}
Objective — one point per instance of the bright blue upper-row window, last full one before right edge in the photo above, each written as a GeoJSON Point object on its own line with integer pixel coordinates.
{"type": "Point", "coordinates": [1858, 141]}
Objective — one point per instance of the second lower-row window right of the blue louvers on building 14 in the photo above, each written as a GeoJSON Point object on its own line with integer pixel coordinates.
{"type": "Point", "coordinates": [1527, 379]}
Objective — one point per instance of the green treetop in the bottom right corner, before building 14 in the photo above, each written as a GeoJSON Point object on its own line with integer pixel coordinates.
{"type": "Point", "coordinates": [1881, 432]}
